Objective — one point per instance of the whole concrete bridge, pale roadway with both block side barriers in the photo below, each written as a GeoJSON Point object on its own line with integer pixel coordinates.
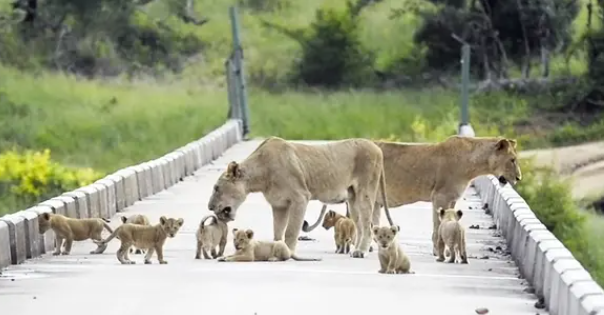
{"type": "Point", "coordinates": [513, 262]}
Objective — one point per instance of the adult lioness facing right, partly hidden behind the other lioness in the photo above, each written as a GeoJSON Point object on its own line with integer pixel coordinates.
{"type": "Point", "coordinates": [440, 172]}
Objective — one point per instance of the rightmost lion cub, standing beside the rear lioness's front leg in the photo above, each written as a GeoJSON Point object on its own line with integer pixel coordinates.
{"type": "Point", "coordinates": [451, 234]}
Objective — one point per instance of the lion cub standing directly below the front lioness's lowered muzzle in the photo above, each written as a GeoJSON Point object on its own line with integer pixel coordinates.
{"type": "Point", "coordinates": [211, 235]}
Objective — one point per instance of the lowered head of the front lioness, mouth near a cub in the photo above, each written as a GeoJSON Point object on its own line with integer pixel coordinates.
{"type": "Point", "coordinates": [229, 193]}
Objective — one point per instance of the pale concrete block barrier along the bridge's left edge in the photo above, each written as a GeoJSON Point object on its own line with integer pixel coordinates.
{"type": "Point", "coordinates": [19, 235]}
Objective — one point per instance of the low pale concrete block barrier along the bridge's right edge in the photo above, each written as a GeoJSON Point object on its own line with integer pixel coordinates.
{"type": "Point", "coordinates": [567, 288]}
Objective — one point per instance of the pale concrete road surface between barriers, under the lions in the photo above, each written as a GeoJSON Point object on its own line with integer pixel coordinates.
{"type": "Point", "coordinates": [83, 284]}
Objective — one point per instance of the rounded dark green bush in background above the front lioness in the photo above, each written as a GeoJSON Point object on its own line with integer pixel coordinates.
{"type": "Point", "coordinates": [332, 54]}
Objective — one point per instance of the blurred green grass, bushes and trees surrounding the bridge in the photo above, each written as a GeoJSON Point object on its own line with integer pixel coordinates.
{"type": "Point", "coordinates": [106, 84]}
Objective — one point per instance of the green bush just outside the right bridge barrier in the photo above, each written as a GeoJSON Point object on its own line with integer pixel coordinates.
{"type": "Point", "coordinates": [551, 200]}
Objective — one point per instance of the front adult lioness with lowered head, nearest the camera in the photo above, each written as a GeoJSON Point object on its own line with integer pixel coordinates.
{"type": "Point", "coordinates": [291, 174]}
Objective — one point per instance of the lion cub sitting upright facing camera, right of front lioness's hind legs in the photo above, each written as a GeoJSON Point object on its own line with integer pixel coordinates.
{"type": "Point", "coordinates": [391, 255]}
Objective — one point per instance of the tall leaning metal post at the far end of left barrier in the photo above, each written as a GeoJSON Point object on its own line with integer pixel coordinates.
{"type": "Point", "coordinates": [239, 70]}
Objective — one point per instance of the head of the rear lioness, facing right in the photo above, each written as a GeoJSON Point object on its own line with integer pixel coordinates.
{"type": "Point", "coordinates": [503, 161]}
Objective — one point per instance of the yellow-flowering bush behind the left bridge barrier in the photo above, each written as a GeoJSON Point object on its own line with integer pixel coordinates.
{"type": "Point", "coordinates": [31, 177]}
